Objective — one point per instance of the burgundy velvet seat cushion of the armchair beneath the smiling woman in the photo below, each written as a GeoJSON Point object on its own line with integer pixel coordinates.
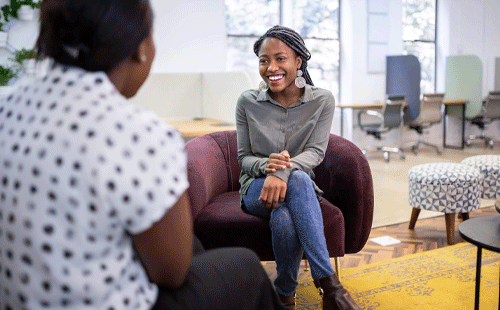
{"type": "Point", "coordinates": [222, 223]}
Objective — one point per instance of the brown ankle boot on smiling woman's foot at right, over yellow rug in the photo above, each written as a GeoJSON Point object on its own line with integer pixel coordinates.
{"type": "Point", "coordinates": [335, 296]}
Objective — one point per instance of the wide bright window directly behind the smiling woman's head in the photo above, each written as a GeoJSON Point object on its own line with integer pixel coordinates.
{"type": "Point", "coordinates": [317, 21]}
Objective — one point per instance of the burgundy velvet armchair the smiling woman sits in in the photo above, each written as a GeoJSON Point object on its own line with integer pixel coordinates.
{"type": "Point", "coordinates": [213, 173]}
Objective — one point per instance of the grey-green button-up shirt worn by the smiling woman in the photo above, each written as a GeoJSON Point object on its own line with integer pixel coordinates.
{"type": "Point", "coordinates": [264, 126]}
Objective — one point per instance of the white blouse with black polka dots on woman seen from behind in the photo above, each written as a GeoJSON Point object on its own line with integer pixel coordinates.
{"type": "Point", "coordinates": [80, 171]}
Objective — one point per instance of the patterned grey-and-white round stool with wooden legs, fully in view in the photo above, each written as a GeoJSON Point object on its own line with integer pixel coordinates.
{"type": "Point", "coordinates": [445, 187]}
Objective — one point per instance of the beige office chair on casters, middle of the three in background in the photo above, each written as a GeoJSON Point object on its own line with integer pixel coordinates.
{"type": "Point", "coordinates": [430, 114]}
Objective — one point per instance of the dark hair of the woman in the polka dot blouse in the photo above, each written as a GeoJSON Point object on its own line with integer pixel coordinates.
{"type": "Point", "coordinates": [93, 35]}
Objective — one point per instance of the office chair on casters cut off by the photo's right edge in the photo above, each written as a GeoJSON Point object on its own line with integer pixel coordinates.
{"type": "Point", "coordinates": [490, 112]}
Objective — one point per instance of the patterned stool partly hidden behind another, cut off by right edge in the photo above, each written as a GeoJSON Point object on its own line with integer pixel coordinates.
{"type": "Point", "coordinates": [489, 165]}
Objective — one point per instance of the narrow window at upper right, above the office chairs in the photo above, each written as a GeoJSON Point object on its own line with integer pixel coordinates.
{"type": "Point", "coordinates": [419, 38]}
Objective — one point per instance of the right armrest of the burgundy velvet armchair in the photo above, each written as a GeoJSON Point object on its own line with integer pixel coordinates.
{"type": "Point", "coordinates": [345, 177]}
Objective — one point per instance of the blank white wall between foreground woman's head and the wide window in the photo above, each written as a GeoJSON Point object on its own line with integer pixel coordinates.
{"type": "Point", "coordinates": [190, 35]}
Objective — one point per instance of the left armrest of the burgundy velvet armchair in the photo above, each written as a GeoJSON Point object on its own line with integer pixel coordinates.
{"type": "Point", "coordinates": [207, 172]}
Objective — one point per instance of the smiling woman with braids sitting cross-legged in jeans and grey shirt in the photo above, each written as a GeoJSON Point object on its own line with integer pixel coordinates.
{"type": "Point", "coordinates": [283, 130]}
